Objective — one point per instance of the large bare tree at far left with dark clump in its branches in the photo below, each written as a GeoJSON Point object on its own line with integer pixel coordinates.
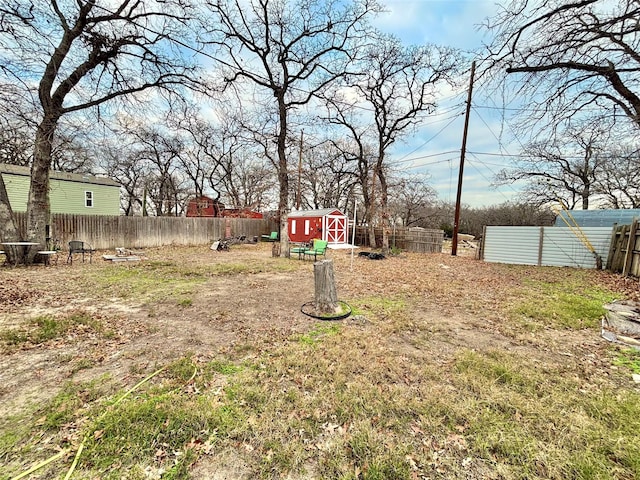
{"type": "Point", "coordinates": [78, 55]}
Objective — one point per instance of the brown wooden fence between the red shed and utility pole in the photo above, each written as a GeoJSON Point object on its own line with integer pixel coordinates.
{"type": "Point", "coordinates": [409, 239]}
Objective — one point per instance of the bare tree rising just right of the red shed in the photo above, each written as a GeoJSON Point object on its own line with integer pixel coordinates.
{"type": "Point", "coordinates": [398, 85]}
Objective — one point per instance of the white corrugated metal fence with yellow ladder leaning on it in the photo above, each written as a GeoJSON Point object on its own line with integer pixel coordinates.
{"type": "Point", "coordinates": [545, 246]}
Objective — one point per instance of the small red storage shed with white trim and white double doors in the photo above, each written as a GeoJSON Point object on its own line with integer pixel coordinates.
{"type": "Point", "coordinates": [328, 224]}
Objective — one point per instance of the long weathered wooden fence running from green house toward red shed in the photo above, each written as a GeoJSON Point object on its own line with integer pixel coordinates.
{"type": "Point", "coordinates": [107, 232]}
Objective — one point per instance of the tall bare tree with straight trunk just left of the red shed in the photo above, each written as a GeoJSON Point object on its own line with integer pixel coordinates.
{"type": "Point", "coordinates": [292, 50]}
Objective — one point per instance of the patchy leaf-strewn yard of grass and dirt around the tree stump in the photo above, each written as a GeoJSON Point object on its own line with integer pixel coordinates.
{"type": "Point", "coordinates": [199, 364]}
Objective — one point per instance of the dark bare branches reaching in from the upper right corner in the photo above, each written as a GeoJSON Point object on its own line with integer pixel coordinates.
{"type": "Point", "coordinates": [571, 56]}
